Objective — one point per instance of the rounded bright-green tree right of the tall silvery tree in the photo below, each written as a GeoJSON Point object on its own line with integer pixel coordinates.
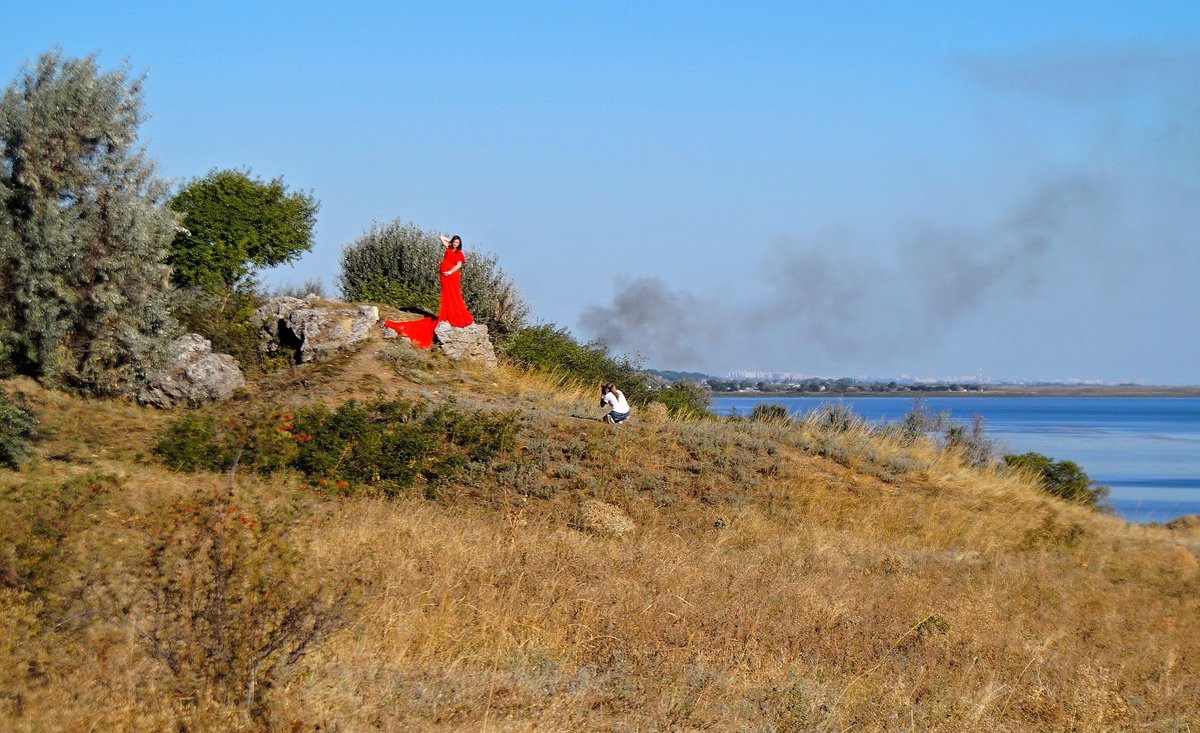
{"type": "Point", "coordinates": [235, 225]}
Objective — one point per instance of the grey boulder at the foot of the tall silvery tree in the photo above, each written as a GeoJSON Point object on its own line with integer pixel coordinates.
{"type": "Point", "coordinates": [195, 375]}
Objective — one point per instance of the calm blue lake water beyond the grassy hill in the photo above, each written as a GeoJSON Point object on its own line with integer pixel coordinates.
{"type": "Point", "coordinates": [1145, 449]}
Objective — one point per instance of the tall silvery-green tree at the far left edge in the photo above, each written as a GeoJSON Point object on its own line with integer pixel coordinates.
{"type": "Point", "coordinates": [83, 235]}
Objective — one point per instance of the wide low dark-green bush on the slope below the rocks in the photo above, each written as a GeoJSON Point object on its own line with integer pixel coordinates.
{"type": "Point", "coordinates": [382, 446]}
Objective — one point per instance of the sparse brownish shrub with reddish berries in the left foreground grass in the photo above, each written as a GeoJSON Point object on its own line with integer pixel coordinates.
{"type": "Point", "coordinates": [226, 599]}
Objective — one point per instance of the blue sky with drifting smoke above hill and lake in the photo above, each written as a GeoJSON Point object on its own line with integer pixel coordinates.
{"type": "Point", "coordinates": [844, 189]}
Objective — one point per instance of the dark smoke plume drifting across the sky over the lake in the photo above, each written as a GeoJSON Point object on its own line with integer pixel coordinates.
{"type": "Point", "coordinates": [1101, 221]}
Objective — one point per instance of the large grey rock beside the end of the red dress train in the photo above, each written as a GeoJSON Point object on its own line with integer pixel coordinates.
{"type": "Point", "coordinates": [314, 332]}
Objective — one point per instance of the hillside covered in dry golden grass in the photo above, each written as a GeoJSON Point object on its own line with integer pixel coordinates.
{"type": "Point", "coordinates": [659, 575]}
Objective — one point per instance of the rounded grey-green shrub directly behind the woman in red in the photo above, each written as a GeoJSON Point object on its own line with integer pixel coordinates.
{"type": "Point", "coordinates": [398, 265]}
